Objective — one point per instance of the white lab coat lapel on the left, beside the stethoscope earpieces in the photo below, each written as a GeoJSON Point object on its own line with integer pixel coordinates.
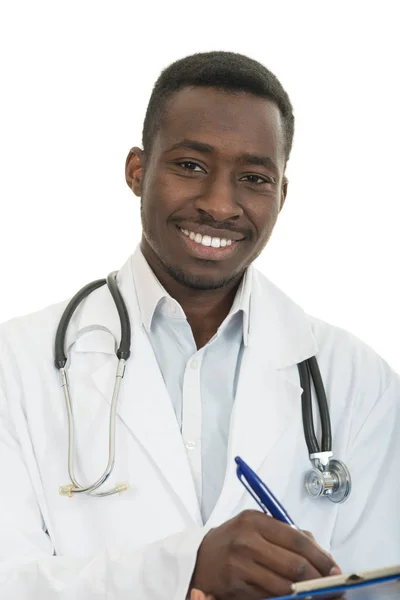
{"type": "Point", "coordinates": [144, 404]}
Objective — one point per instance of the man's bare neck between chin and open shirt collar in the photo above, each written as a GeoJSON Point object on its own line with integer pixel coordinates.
{"type": "Point", "coordinates": [205, 310]}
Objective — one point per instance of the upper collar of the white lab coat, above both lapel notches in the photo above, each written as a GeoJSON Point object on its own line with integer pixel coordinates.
{"type": "Point", "coordinates": [275, 323]}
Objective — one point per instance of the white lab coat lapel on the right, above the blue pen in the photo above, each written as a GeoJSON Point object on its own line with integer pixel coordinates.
{"type": "Point", "coordinates": [267, 395]}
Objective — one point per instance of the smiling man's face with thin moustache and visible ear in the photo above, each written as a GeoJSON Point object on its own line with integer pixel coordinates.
{"type": "Point", "coordinates": [212, 187]}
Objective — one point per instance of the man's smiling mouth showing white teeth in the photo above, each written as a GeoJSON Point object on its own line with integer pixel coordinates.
{"type": "Point", "coordinates": [209, 247]}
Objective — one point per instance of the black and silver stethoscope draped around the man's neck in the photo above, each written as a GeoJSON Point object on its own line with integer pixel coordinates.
{"type": "Point", "coordinates": [328, 477]}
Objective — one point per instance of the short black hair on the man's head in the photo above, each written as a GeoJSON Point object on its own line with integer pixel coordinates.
{"type": "Point", "coordinates": [227, 71]}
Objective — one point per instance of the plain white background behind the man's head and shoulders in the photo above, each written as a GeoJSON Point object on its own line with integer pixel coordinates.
{"type": "Point", "coordinates": [76, 77]}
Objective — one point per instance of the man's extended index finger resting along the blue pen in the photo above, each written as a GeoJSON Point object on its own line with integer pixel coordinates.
{"type": "Point", "coordinates": [284, 536]}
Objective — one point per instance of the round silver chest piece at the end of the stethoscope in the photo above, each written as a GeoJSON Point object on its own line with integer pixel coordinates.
{"type": "Point", "coordinates": [333, 481]}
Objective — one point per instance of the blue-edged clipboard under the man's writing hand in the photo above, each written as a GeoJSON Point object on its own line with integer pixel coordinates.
{"type": "Point", "coordinates": [378, 584]}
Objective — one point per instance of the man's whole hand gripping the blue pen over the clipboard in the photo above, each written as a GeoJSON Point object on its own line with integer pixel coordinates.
{"type": "Point", "coordinates": [254, 556]}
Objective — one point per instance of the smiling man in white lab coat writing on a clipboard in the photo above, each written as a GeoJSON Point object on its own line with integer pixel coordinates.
{"type": "Point", "coordinates": [212, 374]}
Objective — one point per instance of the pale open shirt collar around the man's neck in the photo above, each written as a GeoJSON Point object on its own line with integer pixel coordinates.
{"type": "Point", "coordinates": [152, 296]}
